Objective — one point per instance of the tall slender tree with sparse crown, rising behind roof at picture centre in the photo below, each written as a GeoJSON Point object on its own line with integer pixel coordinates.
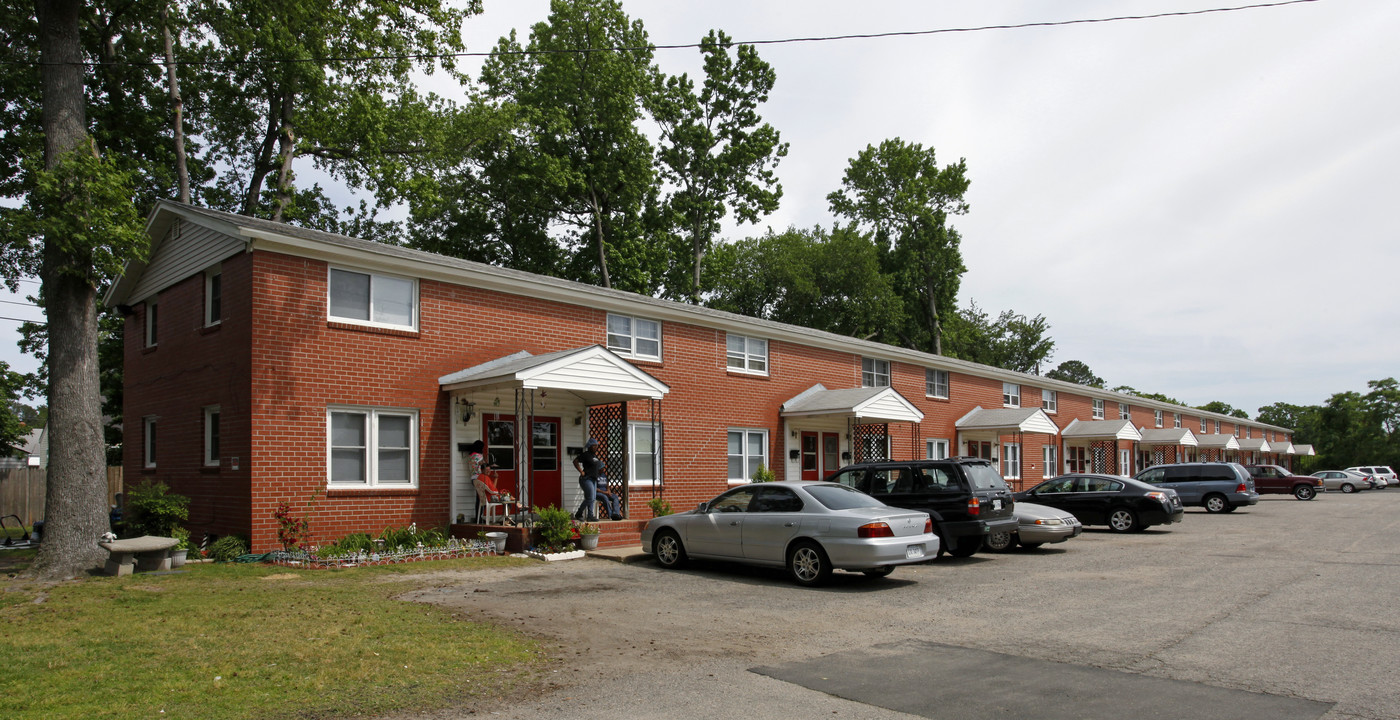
{"type": "Point", "coordinates": [716, 149]}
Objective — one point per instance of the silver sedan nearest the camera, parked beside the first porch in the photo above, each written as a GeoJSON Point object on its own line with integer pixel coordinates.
{"type": "Point", "coordinates": [807, 527]}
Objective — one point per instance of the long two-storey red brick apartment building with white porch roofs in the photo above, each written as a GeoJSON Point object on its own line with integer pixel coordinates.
{"type": "Point", "coordinates": [268, 364]}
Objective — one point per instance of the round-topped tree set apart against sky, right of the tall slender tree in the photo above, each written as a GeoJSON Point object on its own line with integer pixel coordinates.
{"type": "Point", "coordinates": [901, 195]}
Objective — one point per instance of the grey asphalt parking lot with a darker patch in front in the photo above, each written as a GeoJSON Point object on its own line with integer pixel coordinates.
{"type": "Point", "coordinates": [1277, 611]}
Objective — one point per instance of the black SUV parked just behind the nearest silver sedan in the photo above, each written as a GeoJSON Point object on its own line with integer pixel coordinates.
{"type": "Point", "coordinates": [967, 498]}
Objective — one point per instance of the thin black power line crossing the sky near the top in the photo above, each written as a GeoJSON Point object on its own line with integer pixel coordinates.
{"type": "Point", "coordinates": [680, 47]}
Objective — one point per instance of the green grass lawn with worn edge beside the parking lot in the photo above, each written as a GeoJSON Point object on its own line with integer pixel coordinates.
{"type": "Point", "coordinates": [248, 642]}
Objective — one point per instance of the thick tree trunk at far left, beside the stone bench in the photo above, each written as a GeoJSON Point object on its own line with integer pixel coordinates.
{"type": "Point", "coordinates": [76, 512]}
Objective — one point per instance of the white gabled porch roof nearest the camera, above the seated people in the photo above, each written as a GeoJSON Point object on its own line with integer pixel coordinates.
{"type": "Point", "coordinates": [594, 375]}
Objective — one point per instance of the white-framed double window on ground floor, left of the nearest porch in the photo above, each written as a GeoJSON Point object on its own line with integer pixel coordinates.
{"type": "Point", "coordinates": [372, 448]}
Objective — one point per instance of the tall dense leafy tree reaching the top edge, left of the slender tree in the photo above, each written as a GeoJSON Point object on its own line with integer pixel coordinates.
{"type": "Point", "coordinates": [579, 88]}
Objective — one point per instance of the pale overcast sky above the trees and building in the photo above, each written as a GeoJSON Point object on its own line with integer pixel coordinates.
{"type": "Point", "coordinates": [1202, 207]}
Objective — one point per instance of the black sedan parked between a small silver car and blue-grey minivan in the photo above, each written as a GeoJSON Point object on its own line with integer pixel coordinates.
{"type": "Point", "coordinates": [1121, 504]}
